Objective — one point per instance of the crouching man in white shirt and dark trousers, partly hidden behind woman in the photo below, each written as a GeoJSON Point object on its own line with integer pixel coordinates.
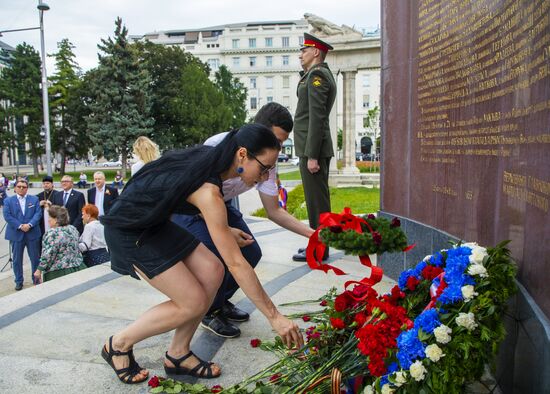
{"type": "Point", "coordinates": [218, 318]}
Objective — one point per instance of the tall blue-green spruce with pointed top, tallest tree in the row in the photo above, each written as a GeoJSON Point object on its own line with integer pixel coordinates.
{"type": "Point", "coordinates": [120, 104]}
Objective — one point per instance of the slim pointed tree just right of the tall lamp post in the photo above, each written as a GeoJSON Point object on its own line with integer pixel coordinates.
{"type": "Point", "coordinates": [65, 138]}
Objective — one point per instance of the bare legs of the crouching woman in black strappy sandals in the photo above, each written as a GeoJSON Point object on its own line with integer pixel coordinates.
{"type": "Point", "coordinates": [188, 303]}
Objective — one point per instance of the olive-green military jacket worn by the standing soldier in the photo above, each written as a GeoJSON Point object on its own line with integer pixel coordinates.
{"type": "Point", "coordinates": [316, 93]}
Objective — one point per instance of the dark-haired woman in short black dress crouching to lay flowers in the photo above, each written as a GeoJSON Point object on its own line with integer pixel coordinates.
{"type": "Point", "coordinates": [143, 241]}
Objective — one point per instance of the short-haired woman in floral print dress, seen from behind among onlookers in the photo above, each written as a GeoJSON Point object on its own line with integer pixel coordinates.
{"type": "Point", "coordinates": [60, 254]}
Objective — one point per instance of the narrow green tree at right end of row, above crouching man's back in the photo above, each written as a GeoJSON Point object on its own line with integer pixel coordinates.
{"type": "Point", "coordinates": [234, 94]}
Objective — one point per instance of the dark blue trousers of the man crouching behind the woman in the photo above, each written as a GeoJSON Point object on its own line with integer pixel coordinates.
{"type": "Point", "coordinates": [252, 253]}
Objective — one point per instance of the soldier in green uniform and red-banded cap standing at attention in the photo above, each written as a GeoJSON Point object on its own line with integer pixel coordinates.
{"type": "Point", "coordinates": [316, 93]}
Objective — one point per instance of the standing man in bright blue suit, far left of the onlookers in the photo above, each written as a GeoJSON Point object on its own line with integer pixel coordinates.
{"type": "Point", "coordinates": [22, 214]}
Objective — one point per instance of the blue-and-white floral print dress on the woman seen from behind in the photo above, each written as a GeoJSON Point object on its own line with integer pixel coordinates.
{"type": "Point", "coordinates": [60, 251]}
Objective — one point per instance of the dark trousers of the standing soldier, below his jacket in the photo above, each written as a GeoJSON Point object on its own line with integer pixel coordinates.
{"type": "Point", "coordinates": [316, 190]}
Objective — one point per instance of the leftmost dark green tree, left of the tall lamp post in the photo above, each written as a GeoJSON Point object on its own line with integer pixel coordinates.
{"type": "Point", "coordinates": [21, 86]}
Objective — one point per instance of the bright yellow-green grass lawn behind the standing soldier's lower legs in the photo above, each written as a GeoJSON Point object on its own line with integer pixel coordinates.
{"type": "Point", "coordinates": [361, 200]}
